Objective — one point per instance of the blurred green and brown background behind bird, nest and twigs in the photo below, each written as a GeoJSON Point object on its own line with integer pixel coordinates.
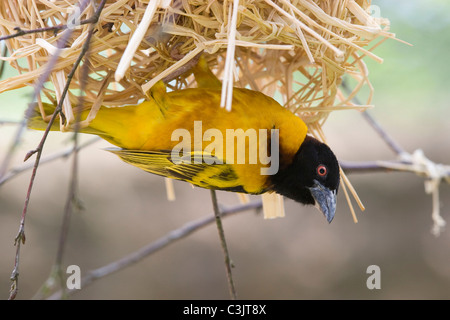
{"type": "Point", "coordinates": [297, 257]}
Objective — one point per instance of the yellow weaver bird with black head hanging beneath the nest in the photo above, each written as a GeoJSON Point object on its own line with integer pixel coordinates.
{"type": "Point", "coordinates": [148, 136]}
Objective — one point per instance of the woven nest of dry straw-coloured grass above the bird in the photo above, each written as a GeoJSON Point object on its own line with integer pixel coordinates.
{"type": "Point", "coordinates": [296, 51]}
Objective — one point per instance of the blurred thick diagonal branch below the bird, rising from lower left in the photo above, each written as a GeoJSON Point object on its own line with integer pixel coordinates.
{"type": "Point", "coordinates": [159, 244]}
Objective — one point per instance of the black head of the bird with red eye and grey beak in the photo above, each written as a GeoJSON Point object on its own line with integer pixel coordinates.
{"type": "Point", "coordinates": [312, 177]}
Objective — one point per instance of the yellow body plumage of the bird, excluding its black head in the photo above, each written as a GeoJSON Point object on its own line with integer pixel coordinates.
{"type": "Point", "coordinates": [144, 133]}
